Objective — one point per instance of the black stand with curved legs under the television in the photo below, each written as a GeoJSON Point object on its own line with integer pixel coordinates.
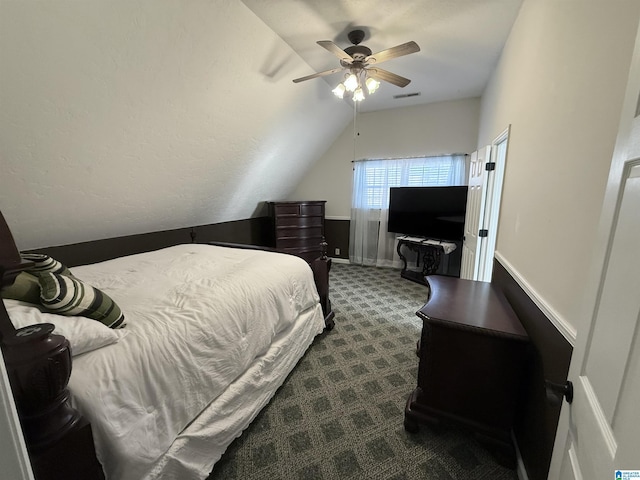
{"type": "Point", "coordinates": [429, 252]}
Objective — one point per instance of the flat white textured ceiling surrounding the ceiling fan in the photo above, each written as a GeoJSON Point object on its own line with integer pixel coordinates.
{"type": "Point", "coordinates": [460, 41]}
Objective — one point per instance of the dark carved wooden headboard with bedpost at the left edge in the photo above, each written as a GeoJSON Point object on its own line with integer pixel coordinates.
{"type": "Point", "coordinates": [39, 366]}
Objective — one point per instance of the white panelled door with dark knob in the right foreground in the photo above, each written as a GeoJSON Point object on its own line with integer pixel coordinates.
{"type": "Point", "coordinates": [599, 433]}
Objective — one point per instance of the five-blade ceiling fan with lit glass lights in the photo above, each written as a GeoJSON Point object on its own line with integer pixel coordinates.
{"type": "Point", "coordinates": [362, 65]}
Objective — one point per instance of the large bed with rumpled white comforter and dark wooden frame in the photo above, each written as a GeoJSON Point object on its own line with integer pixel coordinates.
{"type": "Point", "coordinates": [210, 333]}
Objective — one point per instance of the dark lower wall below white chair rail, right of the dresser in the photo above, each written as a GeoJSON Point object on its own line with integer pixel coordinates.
{"type": "Point", "coordinates": [549, 358]}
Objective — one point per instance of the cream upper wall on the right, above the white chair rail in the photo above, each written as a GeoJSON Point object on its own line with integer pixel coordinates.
{"type": "Point", "coordinates": [560, 84]}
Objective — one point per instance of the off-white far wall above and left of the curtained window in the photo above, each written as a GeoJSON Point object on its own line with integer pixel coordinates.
{"type": "Point", "coordinates": [437, 128]}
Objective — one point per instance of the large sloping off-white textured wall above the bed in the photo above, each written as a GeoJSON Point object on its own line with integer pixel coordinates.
{"type": "Point", "coordinates": [133, 116]}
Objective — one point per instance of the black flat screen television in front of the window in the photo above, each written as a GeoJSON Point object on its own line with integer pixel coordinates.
{"type": "Point", "coordinates": [432, 212]}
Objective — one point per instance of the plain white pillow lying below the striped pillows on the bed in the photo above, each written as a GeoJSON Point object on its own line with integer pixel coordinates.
{"type": "Point", "coordinates": [84, 335]}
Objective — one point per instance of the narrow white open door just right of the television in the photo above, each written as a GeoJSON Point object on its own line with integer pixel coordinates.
{"type": "Point", "coordinates": [475, 211]}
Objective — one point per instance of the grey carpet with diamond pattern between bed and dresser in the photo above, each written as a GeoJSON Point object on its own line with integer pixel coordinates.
{"type": "Point", "coordinates": [339, 414]}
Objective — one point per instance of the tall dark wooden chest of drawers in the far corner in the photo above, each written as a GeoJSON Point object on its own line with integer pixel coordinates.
{"type": "Point", "coordinates": [298, 227]}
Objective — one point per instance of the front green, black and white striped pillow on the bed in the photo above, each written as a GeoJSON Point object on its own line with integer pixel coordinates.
{"type": "Point", "coordinates": [69, 296]}
